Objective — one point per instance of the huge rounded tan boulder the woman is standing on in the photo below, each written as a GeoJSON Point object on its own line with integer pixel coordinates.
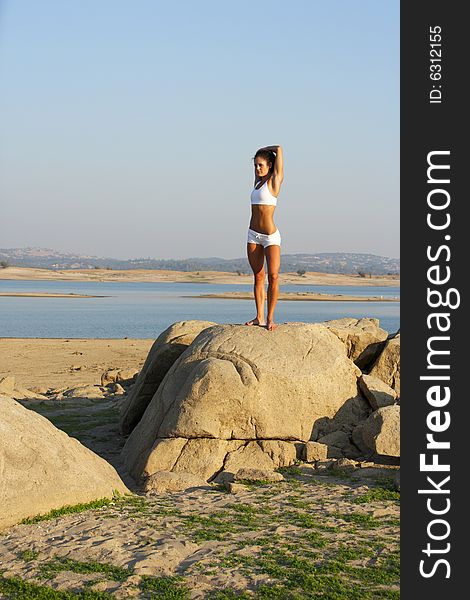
{"type": "Point", "coordinates": [236, 384]}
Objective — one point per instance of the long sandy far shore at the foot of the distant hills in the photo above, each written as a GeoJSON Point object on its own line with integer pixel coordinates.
{"type": "Point", "coordinates": [215, 277]}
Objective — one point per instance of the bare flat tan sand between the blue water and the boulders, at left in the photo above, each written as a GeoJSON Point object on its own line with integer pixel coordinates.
{"type": "Point", "coordinates": [68, 362]}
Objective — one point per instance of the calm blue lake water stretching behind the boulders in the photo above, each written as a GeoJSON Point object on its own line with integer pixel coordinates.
{"type": "Point", "coordinates": [144, 310]}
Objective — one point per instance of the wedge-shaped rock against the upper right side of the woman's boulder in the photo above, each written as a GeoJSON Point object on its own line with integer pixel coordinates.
{"type": "Point", "coordinates": [363, 338]}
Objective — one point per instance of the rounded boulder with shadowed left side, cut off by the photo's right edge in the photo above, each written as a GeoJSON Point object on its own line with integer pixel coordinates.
{"type": "Point", "coordinates": [381, 432]}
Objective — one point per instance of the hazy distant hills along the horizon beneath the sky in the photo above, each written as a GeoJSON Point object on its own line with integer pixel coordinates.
{"type": "Point", "coordinates": [330, 262]}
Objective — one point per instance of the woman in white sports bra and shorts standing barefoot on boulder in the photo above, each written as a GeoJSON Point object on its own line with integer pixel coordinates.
{"type": "Point", "coordinates": [264, 238]}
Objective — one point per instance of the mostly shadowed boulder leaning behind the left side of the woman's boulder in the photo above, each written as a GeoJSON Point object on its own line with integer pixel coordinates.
{"type": "Point", "coordinates": [166, 349]}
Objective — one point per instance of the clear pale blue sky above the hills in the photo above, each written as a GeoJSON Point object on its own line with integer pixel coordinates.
{"type": "Point", "coordinates": [128, 128]}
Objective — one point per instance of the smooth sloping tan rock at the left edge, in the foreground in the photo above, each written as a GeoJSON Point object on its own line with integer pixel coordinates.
{"type": "Point", "coordinates": [42, 468]}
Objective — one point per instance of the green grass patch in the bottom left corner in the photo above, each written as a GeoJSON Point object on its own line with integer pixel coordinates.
{"type": "Point", "coordinates": [14, 587]}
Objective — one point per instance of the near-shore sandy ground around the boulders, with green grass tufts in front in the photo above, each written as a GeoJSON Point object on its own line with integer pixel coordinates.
{"type": "Point", "coordinates": [316, 534]}
